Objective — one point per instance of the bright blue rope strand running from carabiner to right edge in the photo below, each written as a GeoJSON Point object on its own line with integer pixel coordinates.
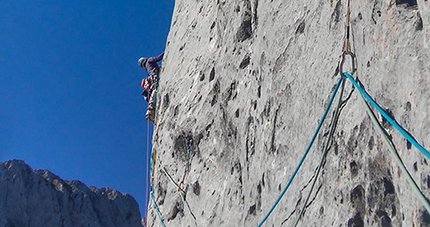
{"type": "Point", "coordinates": [386, 116]}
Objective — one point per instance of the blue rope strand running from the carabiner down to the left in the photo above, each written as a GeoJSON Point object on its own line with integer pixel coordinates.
{"type": "Point", "coordinates": [306, 152]}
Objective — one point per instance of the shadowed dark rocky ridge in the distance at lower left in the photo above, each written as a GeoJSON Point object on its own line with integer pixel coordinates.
{"type": "Point", "coordinates": [40, 198]}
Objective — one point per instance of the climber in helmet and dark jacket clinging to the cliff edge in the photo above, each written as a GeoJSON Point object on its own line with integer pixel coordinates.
{"type": "Point", "coordinates": [150, 83]}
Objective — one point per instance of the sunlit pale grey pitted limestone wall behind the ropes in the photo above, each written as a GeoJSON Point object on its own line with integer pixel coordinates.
{"type": "Point", "coordinates": [248, 81]}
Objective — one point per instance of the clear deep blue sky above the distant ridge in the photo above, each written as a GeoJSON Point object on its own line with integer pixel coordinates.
{"type": "Point", "coordinates": [70, 87]}
